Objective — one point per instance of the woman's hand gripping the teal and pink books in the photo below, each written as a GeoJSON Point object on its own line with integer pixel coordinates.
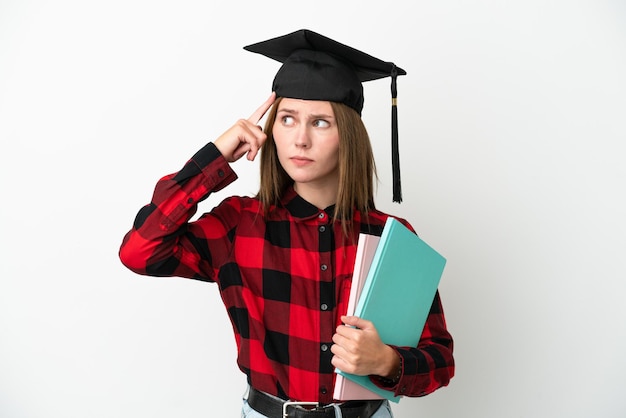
{"type": "Point", "coordinates": [360, 350]}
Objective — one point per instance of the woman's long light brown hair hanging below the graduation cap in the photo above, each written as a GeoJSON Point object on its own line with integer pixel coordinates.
{"type": "Point", "coordinates": [357, 169]}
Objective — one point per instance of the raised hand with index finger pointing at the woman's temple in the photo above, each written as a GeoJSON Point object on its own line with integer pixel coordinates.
{"type": "Point", "coordinates": [245, 136]}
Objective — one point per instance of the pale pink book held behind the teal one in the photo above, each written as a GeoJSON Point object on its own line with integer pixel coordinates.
{"type": "Point", "coordinates": [346, 389]}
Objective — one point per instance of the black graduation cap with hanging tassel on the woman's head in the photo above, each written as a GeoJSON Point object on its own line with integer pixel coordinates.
{"type": "Point", "coordinates": [318, 68]}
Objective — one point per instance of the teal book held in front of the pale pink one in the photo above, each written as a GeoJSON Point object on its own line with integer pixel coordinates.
{"type": "Point", "coordinates": [398, 292]}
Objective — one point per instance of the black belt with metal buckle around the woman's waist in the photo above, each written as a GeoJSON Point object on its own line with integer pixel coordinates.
{"type": "Point", "coordinates": [273, 408]}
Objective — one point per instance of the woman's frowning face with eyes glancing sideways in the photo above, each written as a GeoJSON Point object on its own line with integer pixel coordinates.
{"type": "Point", "coordinates": [307, 142]}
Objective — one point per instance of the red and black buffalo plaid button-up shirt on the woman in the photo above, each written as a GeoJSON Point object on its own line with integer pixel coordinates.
{"type": "Point", "coordinates": [284, 279]}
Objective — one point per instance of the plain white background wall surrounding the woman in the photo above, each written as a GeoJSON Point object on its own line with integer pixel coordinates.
{"type": "Point", "coordinates": [512, 138]}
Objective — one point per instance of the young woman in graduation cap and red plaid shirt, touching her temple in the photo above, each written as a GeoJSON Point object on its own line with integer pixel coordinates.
{"type": "Point", "coordinates": [283, 260]}
